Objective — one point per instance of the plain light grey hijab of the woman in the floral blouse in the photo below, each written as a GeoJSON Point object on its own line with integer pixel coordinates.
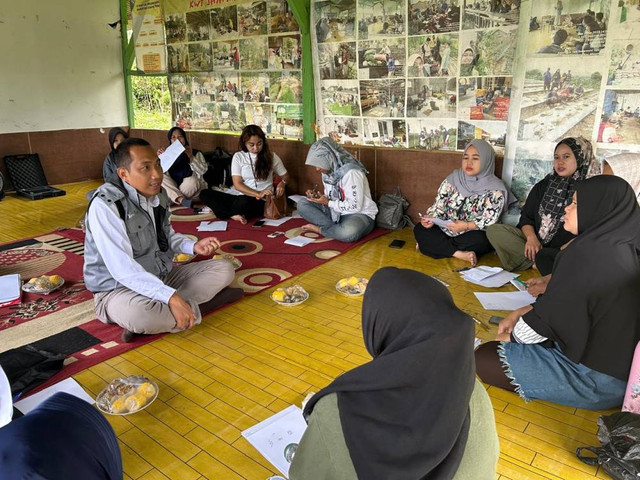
{"type": "Point", "coordinates": [486, 180]}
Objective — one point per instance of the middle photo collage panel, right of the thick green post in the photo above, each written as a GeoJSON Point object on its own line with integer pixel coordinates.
{"type": "Point", "coordinates": [423, 74]}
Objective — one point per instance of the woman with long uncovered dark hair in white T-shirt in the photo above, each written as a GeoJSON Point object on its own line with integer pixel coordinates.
{"type": "Point", "coordinates": [252, 170]}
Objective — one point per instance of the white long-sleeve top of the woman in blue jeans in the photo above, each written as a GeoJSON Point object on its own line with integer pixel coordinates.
{"type": "Point", "coordinates": [355, 195]}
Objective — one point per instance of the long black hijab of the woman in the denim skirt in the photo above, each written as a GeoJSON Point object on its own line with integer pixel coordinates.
{"type": "Point", "coordinates": [591, 308]}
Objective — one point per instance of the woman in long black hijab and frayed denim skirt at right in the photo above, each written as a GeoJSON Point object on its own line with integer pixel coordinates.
{"type": "Point", "coordinates": [574, 346]}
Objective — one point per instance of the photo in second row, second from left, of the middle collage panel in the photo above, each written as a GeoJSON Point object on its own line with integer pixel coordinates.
{"type": "Point", "coordinates": [381, 58]}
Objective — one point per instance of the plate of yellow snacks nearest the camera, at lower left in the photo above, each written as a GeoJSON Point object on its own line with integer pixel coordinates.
{"type": "Point", "coordinates": [127, 395]}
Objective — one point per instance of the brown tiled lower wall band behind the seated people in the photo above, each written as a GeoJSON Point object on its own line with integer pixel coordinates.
{"type": "Point", "coordinates": [76, 155]}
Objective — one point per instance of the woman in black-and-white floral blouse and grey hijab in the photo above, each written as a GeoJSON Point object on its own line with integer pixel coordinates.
{"type": "Point", "coordinates": [470, 199]}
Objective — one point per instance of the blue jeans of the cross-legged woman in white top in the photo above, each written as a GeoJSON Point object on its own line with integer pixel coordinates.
{"type": "Point", "coordinates": [350, 228]}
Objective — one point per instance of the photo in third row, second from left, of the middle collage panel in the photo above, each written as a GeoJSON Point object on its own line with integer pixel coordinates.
{"type": "Point", "coordinates": [382, 98]}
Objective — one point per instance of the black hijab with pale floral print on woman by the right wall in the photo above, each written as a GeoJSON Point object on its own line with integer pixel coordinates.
{"type": "Point", "coordinates": [560, 189]}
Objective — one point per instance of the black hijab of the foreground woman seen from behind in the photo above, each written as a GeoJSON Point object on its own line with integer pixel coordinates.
{"type": "Point", "coordinates": [405, 414]}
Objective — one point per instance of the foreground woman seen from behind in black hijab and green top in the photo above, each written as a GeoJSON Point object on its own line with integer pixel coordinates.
{"type": "Point", "coordinates": [415, 411]}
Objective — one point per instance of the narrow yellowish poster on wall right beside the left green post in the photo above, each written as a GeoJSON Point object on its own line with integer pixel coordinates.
{"type": "Point", "coordinates": [148, 36]}
